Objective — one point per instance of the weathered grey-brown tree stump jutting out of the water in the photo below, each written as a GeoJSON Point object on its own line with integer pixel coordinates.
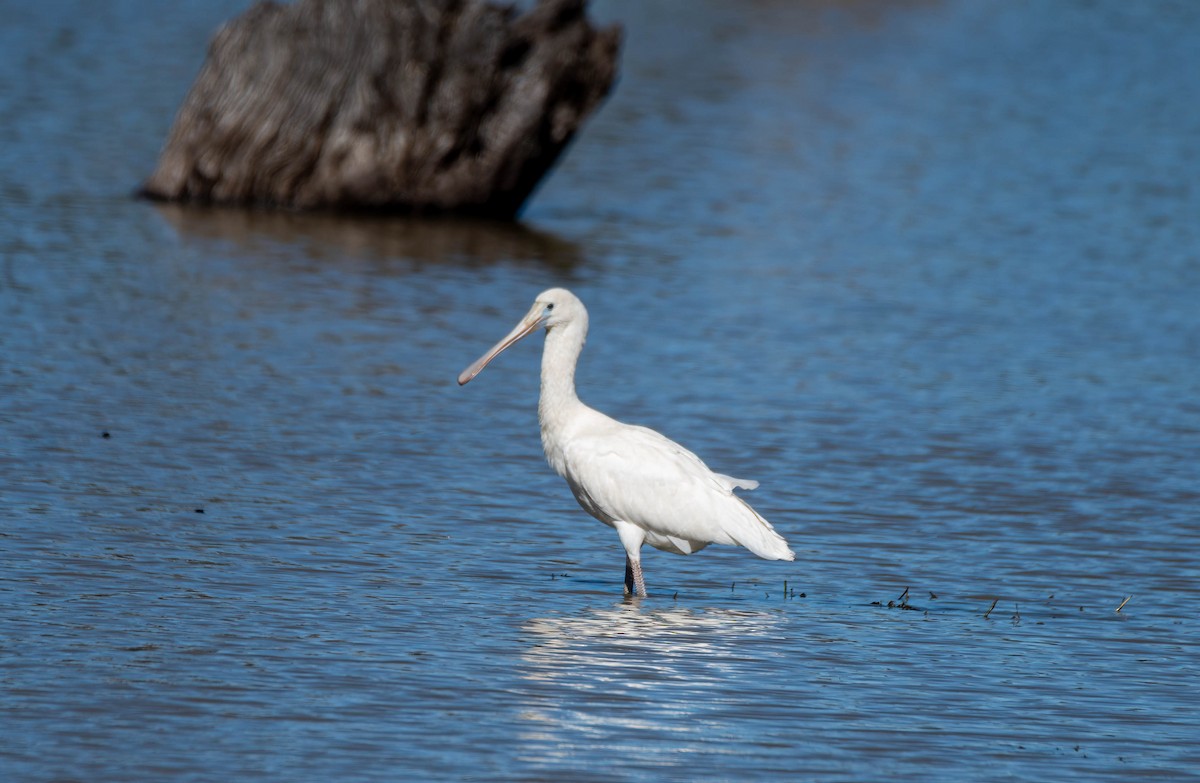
{"type": "Point", "coordinates": [386, 105]}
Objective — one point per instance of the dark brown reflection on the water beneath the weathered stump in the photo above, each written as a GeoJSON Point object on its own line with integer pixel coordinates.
{"type": "Point", "coordinates": [329, 236]}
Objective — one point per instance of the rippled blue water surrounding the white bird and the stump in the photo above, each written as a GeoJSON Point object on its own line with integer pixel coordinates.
{"type": "Point", "coordinates": [927, 271]}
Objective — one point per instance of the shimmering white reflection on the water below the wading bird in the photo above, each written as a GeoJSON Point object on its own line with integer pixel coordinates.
{"type": "Point", "coordinates": [626, 677]}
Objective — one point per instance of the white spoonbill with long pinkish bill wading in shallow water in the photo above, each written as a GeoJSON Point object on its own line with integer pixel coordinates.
{"type": "Point", "coordinates": [649, 488]}
